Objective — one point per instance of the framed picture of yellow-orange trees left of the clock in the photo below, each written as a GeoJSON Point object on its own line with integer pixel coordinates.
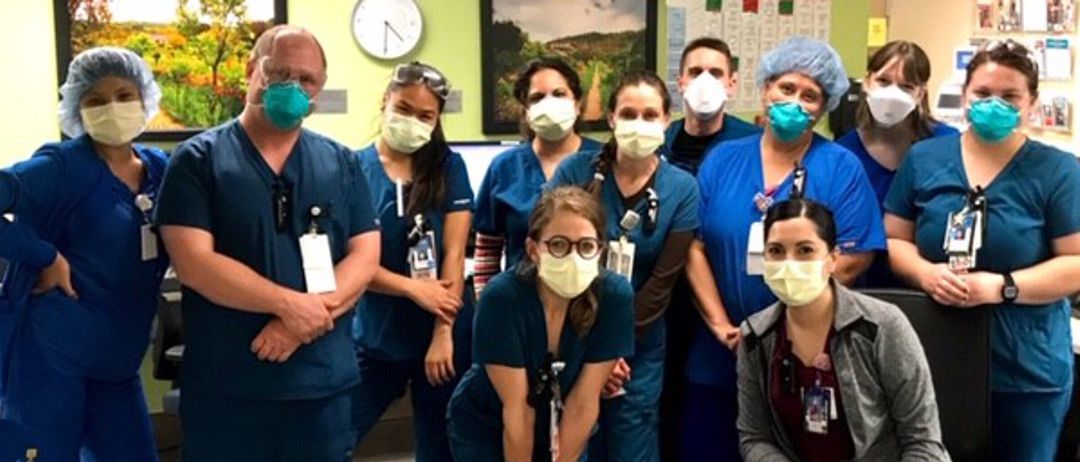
{"type": "Point", "coordinates": [198, 51]}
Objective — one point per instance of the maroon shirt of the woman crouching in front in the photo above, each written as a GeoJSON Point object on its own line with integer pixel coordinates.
{"type": "Point", "coordinates": [811, 447]}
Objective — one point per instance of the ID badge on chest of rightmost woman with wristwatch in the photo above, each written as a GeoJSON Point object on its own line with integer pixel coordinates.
{"type": "Point", "coordinates": [964, 233]}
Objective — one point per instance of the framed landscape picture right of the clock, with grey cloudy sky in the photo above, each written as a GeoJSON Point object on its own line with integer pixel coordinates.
{"type": "Point", "coordinates": [601, 39]}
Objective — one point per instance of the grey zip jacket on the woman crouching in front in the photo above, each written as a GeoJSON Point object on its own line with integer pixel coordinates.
{"type": "Point", "coordinates": [885, 385]}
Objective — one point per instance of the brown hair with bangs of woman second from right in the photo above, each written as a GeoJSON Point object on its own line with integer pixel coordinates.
{"type": "Point", "coordinates": [916, 70]}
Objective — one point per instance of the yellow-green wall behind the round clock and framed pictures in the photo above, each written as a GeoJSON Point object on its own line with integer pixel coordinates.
{"type": "Point", "coordinates": [451, 43]}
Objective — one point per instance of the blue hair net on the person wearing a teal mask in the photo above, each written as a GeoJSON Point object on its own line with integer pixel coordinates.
{"type": "Point", "coordinates": [814, 59]}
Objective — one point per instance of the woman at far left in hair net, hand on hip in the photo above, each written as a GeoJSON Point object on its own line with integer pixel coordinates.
{"type": "Point", "coordinates": [86, 267]}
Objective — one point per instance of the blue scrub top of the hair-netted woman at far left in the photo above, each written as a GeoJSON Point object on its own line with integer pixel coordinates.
{"type": "Point", "coordinates": [65, 199]}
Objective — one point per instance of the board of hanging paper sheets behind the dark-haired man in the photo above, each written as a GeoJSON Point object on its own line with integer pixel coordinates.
{"type": "Point", "coordinates": [751, 28]}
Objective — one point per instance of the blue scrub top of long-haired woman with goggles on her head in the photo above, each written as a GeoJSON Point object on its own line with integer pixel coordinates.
{"type": "Point", "coordinates": [395, 329]}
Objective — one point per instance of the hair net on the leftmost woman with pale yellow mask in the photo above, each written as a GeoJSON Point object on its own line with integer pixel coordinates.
{"type": "Point", "coordinates": [93, 65]}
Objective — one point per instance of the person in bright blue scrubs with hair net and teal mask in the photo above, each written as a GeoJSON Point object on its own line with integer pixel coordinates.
{"type": "Point", "coordinates": [801, 81]}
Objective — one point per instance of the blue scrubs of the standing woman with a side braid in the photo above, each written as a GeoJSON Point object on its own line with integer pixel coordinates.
{"type": "Point", "coordinates": [629, 425]}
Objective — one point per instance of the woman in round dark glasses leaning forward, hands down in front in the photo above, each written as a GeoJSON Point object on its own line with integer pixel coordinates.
{"type": "Point", "coordinates": [548, 335]}
